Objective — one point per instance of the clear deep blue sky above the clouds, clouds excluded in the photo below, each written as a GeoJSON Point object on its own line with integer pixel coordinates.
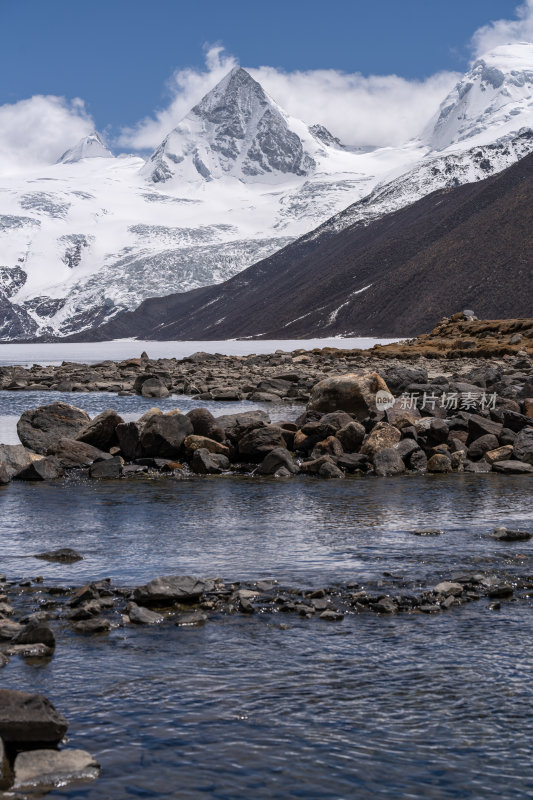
{"type": "Point", "coordinates": [118, 54]}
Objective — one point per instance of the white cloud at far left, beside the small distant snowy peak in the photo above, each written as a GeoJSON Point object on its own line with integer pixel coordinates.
{"type": "Point", "coordinates": [35, 132]}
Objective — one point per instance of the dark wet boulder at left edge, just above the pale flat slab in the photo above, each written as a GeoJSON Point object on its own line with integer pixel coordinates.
{"type": "Point", "coordinates": [29, 719]}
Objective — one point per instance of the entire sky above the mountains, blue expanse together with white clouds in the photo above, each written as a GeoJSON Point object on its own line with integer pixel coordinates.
{"type": "Point", "coordinates": [373, 72]}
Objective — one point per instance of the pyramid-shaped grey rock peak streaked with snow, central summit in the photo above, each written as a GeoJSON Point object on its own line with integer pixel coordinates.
{"type": "Point", "coordinates": [237, 130]}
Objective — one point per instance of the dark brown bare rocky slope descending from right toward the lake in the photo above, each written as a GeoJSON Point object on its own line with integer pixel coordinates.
{"type": "Point", "coordinates": [471, 246]}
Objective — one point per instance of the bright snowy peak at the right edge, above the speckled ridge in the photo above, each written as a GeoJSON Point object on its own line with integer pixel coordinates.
{"type": "Point", "coordinates": [494, 98]}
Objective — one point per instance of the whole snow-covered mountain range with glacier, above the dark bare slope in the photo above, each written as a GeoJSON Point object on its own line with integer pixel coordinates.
{"type": "Point", "coordinates": [235, 181]}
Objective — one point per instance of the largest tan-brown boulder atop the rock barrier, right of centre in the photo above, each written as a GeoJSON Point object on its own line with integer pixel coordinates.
{"type": "Point", "coordinates": [355, 394]}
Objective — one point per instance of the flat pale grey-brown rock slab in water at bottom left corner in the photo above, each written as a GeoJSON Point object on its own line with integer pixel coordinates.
{"type": "Point", "coordinates": [42, 770]}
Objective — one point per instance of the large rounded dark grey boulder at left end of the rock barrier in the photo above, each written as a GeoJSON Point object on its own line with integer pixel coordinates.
{"type": "Point", "coordinates": [40, 428]}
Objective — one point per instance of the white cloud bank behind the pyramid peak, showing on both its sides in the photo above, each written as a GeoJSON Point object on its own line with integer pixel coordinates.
{"type": "Point", "coordinates": [379, 109]}
